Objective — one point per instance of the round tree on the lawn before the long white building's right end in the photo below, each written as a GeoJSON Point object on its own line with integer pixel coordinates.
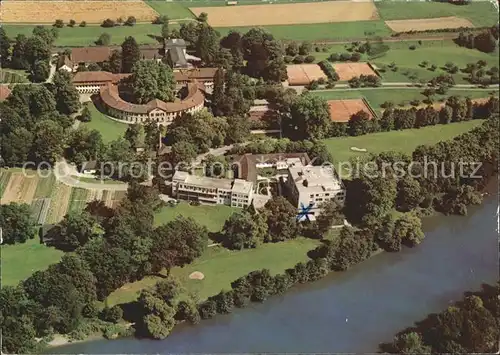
{"type": "Point", "coordinates": [244, 230]}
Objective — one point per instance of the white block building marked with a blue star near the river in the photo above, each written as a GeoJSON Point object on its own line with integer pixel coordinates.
{"type": "Point", "coordinates": [310, 186]}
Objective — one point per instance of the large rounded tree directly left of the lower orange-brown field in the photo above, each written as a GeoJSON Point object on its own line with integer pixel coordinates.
{"type": "Point", "coordinates": [309, 119]}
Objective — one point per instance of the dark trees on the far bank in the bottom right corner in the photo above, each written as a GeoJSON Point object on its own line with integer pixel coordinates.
{"type": "Point", "coordinates": [472, 325]}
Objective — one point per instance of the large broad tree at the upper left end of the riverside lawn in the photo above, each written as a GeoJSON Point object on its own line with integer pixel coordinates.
{"type": "Point", "coordinates": [178, 243]}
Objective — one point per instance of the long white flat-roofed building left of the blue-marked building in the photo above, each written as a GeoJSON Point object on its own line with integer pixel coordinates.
{"type": "Point", "coordinates": [235, 193]}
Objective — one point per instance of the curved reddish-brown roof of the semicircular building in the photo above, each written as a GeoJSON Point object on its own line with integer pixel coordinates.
{"type": "Point", "coordinates": [111, 97]}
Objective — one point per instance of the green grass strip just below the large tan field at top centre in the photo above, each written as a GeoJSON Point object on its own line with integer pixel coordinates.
{"type": "Point", "coordinates": [321, 31]}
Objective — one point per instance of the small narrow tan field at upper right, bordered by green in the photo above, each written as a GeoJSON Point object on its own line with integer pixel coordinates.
{"type": "Point", "coordinates": [428, 24]}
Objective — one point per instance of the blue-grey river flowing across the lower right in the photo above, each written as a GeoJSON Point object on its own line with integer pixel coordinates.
{"type": "Point", "coordinates": [347, 312]}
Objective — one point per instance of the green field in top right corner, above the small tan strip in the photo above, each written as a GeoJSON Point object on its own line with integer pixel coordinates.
{"type": "Point", "coordinates": [480, 13]}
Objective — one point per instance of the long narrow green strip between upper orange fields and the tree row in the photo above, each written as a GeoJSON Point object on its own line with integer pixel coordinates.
{"type": "Point", "coordinates": [398, 96]}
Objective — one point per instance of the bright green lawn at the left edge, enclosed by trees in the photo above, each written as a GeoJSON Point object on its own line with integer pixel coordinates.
{"type": "Point", "coordinates": [19, 261]}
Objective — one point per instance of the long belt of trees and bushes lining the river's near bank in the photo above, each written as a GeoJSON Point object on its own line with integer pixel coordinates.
{"type": "Point", "coordinates": [387, 214]}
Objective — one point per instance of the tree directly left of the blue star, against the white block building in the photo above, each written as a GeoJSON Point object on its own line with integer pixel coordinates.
{"type": "Point", "coordinates": [281, 219]}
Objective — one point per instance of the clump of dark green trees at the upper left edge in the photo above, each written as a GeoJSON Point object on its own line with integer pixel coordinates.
{"type": "Point", "coordinates": [29, 53]}
